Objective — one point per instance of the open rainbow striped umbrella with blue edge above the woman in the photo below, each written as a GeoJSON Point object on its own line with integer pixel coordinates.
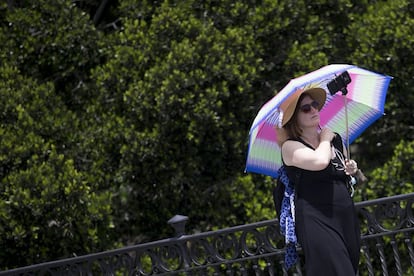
{"type": "Point", "coordinates": [349, 114]}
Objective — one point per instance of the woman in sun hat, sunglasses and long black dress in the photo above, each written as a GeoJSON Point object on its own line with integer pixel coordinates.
{"type": "Point", "coordinates": [325, 219]}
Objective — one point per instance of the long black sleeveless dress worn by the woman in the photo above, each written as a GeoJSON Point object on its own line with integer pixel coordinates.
{"type": "Point", "coordinates": [326, 223]}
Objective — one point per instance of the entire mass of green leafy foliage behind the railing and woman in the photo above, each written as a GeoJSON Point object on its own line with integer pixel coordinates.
{"type": "Point", "coordinates": [107, 135]}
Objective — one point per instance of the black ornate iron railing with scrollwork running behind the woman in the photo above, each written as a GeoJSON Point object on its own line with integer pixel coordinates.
{"type": "Point", "coordinates": [387, 227]}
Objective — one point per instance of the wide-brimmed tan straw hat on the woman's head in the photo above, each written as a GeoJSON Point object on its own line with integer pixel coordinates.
{"type": "Point", "coordinates": [289, 105]}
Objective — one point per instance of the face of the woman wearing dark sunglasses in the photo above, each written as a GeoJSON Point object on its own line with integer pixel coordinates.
{"type": "Point", "coordinates": [308, 115]}
